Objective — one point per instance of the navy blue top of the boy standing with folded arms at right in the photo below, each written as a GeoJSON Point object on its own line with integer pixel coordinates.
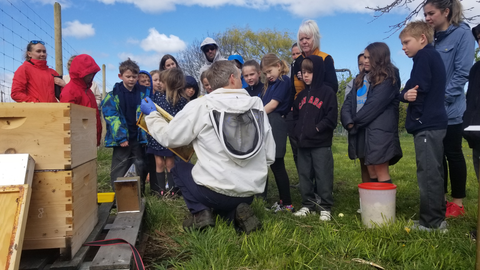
{"type": "Point", "coordinates": [427, 112]}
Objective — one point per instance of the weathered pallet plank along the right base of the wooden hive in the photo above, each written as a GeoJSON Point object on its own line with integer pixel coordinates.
{"type": "Point", "coordinates": [77, 260]}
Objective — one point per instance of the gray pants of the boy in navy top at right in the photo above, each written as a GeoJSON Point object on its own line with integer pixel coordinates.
{"type": "Point", "coordinates": [429, 157]}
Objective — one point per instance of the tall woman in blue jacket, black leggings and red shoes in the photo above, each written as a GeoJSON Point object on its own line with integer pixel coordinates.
{"type": "Point", "coordinates": [456, 45]}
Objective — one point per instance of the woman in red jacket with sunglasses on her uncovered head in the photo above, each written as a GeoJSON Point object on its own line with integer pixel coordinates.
{"type": "Point", "coordinates": [34, 81]}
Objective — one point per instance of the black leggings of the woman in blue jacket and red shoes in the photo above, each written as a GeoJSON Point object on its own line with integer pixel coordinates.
{"type": "Point", "coordinates": [456, 161]}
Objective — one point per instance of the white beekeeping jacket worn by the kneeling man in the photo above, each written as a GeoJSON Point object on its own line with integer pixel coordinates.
{"type": "Point", "coordinates": [217, 168]}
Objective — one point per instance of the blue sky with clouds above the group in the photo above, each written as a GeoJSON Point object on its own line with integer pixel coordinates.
{"type": "Point", "coordinates": [111, 30]}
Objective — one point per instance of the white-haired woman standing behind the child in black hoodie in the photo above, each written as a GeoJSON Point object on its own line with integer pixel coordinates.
{"type": "Point", "coordinates": [309, 43]}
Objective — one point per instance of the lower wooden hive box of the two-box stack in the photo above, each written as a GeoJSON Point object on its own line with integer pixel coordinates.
{"type": "Point", "coordinates": [63, 209]}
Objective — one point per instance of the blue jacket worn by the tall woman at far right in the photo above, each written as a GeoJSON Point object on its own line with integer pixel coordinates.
{"type": "Point", "coordinates": [456, 46]}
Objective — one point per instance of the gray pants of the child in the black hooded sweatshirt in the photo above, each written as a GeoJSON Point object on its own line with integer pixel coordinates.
{"type": "Point", "coordinates": [321, 160]}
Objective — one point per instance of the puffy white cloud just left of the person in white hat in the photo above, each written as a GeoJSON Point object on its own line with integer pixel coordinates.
{"type": "Point", "coordinates": [162, 43]}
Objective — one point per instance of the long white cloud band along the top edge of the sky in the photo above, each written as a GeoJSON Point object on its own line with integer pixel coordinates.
{"type": "Point", "coordinates": [305, 8]}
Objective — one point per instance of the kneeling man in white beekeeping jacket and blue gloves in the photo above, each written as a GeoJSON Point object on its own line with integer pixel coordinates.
{"type": "Point", "coordinates": [233, 141]}
